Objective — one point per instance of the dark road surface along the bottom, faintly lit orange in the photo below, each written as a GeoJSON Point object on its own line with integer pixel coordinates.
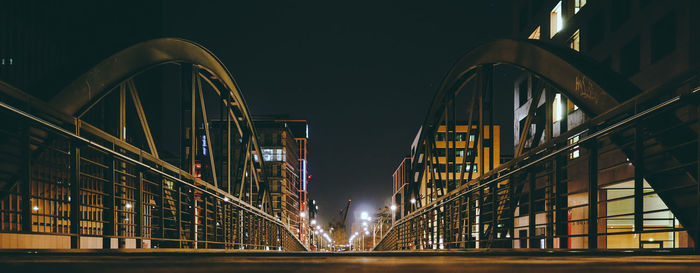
{"type": "Point", "coordinates": [212, 262]}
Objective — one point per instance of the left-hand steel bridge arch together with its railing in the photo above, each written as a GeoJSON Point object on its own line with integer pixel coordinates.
{"type": "Point", "coordinates": [88, 170]}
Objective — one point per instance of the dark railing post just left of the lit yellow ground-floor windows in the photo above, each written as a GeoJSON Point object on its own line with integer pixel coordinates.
{"type": "Point", "coordinates": [593, 195]}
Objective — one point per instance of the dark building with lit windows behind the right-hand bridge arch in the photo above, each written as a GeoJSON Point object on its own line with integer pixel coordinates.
{"type": "Point", "coordinates": [651, 43]}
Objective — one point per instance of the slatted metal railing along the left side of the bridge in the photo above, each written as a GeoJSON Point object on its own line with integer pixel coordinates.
{"type": "Point", "coordinates": [65, 178]}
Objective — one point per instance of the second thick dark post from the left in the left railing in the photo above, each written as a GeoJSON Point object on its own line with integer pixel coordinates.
{"type": "Point", "coordinates": [76, 198]}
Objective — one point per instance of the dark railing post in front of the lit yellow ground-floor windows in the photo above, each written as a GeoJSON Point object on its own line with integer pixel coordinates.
{"type": "Point", "coordinates": [638, 182]}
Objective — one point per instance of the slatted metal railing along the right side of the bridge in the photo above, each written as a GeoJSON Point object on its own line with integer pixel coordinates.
{"type": "Point", "coordinates": [609, 183]}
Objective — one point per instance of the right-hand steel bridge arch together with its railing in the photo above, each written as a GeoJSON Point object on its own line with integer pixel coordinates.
{"type": "Point", "coordinates": [552, 194]}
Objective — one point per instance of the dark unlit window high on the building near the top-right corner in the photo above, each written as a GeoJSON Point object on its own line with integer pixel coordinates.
{"type": "Point", "coordinates": [663, 37]}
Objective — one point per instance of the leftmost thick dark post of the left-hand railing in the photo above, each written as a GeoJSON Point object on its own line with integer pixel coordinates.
{"type": "Point", "coordinates": [26, 181]}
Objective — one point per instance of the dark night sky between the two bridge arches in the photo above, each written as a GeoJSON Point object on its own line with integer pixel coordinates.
{"type": "Point", "coordinates": [363, 74]}
